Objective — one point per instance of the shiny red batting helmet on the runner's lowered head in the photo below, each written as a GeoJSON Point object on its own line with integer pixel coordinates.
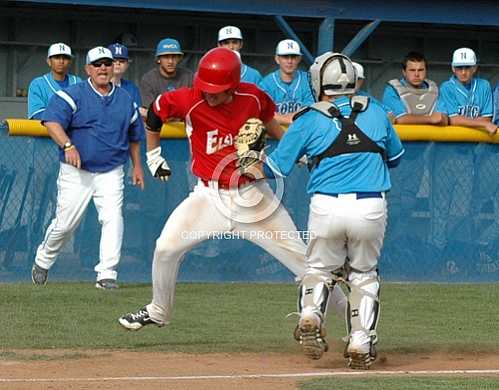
{"type": "Point", "coordinates": [218, 71]}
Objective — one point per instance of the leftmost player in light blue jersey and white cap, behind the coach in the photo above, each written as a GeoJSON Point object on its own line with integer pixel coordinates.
{"type": "Point", "coordinates": [42, 88]}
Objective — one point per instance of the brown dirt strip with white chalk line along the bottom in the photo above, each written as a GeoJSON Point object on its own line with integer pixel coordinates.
{"type": "Point", "coordinates": [61, 369]}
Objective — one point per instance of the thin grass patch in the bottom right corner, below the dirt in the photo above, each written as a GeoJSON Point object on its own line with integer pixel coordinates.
{"type": "Point", "coordinates": [405, 383]}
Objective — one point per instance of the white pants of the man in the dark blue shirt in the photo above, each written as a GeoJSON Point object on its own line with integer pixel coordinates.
{"type": "Point", "coordinates": [75, 189]}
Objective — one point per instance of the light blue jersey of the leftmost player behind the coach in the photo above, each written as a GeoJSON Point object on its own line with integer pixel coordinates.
{"type": "Point", "coordinates": [41, 89]}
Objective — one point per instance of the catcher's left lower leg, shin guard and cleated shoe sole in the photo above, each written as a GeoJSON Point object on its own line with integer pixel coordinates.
{"type": "Point", "coordinates": [312, 305]}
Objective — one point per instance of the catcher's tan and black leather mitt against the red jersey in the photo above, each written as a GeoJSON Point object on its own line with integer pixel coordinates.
{"type": "Point", "coordinates": [249, 143]}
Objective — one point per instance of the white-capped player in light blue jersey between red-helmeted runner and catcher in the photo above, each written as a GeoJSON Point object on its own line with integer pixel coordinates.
{"type": "Point", "coordinates": [288, 86]}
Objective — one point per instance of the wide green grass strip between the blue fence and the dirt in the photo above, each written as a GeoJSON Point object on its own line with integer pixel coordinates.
{"type": "Point", "coordinates": [240, 318]}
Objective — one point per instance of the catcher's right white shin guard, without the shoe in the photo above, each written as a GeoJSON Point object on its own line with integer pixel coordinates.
{"type": "Point", "coordinates": [363, 304]}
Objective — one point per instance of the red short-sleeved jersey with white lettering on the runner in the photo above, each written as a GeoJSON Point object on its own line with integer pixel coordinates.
{"type": "Point", "coordinates": [211, 130]}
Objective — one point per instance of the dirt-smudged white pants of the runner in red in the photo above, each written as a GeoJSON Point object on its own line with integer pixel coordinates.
{"type": "Point", "coordinates": [208, 211]}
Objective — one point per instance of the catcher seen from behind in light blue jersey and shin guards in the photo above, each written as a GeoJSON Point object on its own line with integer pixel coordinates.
{"type": "Point", "coordinates": [350, 144]}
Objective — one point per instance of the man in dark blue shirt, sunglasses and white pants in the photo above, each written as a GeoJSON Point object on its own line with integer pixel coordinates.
{"type": "Point", "coordinates": [96, 126]}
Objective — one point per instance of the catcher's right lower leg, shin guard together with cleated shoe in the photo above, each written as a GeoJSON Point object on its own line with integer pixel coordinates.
{"type": "Point", "coordinates": [362, 319]}
